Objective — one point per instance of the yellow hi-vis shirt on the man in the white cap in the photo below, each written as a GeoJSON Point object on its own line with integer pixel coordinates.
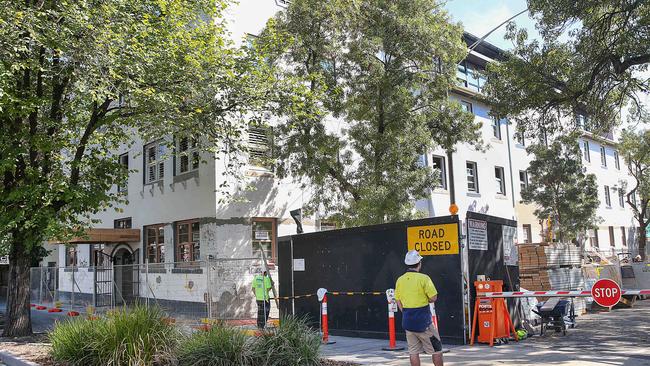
{"type": "Point", "coordinates": [414, 289]}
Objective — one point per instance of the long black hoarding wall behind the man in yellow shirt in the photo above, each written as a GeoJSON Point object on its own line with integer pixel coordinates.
{"type": "Point", "coordinates": [357, 266]}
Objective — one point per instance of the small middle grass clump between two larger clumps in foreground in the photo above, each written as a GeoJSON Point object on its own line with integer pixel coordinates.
{"type": "Point", "coordinates": [219, 346]}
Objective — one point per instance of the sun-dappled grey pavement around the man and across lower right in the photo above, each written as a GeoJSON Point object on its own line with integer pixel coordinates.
{"type": "Point", "coordinates": [620, 337]}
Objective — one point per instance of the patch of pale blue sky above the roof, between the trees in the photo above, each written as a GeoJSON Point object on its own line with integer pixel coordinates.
{"type": "Point", "coordinates": [480, 16]}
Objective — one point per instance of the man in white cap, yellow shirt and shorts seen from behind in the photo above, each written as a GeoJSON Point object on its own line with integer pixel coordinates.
{"type": "Point", "coordinates": [413, 293]}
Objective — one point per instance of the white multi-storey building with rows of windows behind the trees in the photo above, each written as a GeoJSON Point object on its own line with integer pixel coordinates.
{"type": "Point", "coordinates": [175, 213]}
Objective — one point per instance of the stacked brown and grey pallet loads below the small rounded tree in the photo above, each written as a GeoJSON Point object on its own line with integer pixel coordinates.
{"type": "Point", "coordinates": [552, 267]}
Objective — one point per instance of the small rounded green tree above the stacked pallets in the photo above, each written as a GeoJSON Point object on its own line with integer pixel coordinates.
{"type": "Point", "coordinates": [560, 189]}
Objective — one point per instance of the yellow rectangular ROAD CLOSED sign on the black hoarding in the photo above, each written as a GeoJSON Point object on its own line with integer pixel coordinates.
{"type": "Point", "coordinates": [439, 239]}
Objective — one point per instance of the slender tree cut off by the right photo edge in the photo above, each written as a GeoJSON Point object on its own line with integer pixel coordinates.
{"type": "Point", "coordinates": [634, 146]}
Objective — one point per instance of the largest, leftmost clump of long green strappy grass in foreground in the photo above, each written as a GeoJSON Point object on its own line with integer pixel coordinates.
{"type": "Point", "coordinates": [138, 336]}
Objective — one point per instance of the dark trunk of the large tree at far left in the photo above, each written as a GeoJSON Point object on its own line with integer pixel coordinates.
{"type": "Point", "coordinates": [18, 320]}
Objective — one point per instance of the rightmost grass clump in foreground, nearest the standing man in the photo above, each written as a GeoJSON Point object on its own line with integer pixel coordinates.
{"type": "Point", "coordinates": [293, 343]}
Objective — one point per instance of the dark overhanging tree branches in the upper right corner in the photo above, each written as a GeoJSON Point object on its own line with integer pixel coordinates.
{"type": "Point", "coordinates": [590, 62]}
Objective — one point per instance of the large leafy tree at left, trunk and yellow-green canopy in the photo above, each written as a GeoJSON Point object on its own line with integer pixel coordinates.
{"type": "Point", "coordinates": [80, 79]}
